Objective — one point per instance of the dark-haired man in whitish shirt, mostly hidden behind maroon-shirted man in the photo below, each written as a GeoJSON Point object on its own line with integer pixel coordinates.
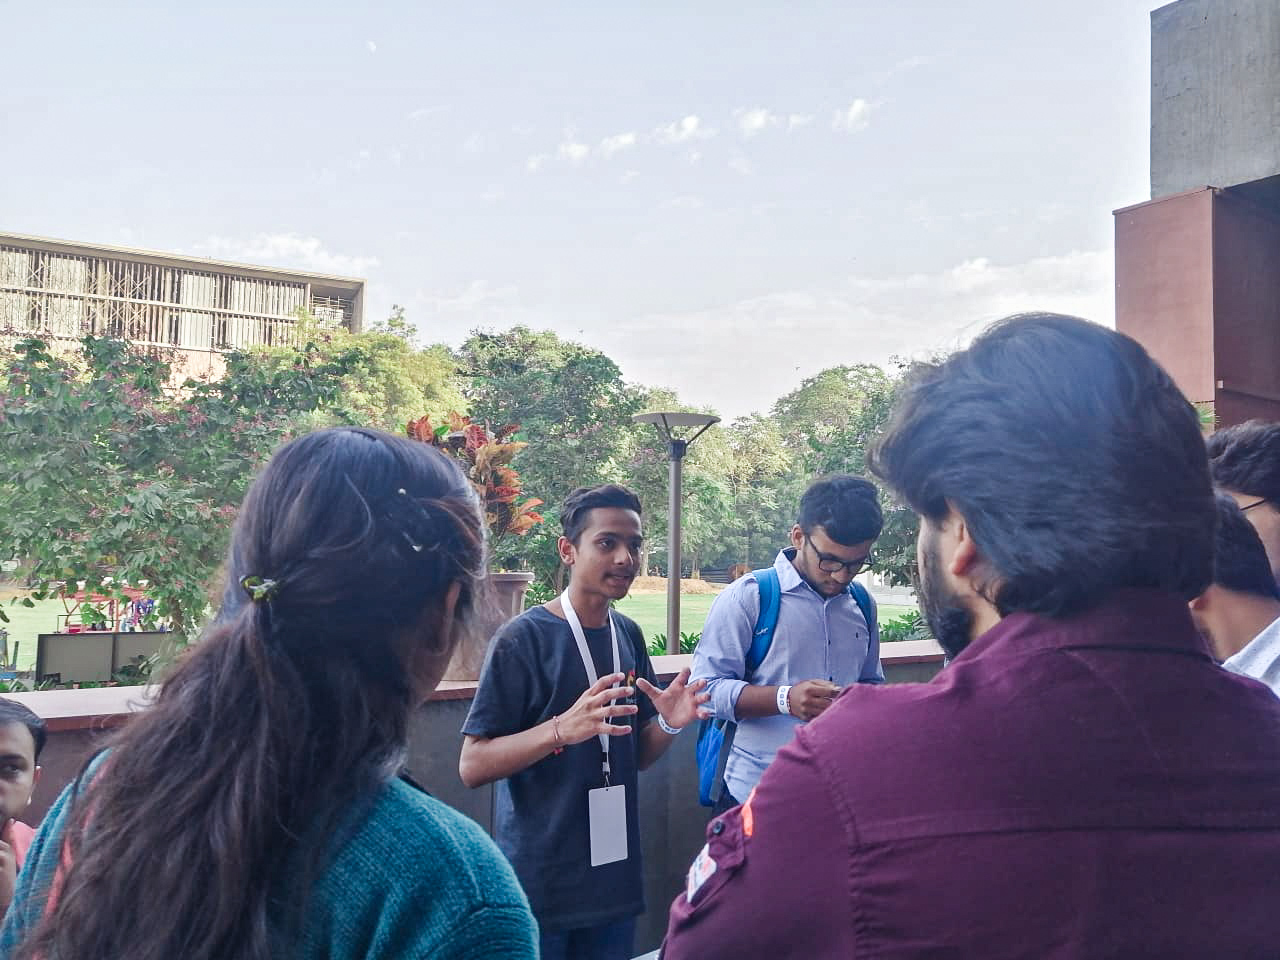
{"type": "Point", "coordinates": [1240, 612]}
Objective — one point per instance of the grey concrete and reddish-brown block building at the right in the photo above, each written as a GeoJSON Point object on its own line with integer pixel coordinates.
{"type": "Point", "coordinates": [1199, 266]}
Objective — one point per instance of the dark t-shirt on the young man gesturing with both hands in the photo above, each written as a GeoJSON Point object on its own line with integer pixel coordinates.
{"type": "Point", "coordinates": [533, 671]}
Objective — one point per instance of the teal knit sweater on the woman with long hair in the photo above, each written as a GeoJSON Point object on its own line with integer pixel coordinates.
{"type": "Point", "coordinates": [417, 880]}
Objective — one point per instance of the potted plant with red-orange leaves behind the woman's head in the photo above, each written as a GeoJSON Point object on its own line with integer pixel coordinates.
{"type": "Point", "coordinates": [486, 458]}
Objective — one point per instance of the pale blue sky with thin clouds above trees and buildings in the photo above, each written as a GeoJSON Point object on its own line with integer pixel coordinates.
{"type": "Point", "coordinates": [725, 198]}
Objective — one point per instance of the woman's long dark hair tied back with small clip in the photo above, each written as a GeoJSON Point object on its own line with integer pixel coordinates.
{"type": "Point", "coordinates": [203, 831]}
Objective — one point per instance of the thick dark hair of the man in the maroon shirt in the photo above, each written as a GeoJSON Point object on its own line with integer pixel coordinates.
{"type": "Point", "coordinates": [1072, 456]}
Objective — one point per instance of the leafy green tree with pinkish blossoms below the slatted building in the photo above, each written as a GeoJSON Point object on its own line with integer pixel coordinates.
{"type": "Point", "coordinates": [116, 479]}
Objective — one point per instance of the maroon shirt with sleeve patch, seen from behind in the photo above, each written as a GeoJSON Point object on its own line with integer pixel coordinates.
{"type": "Point", "coordinates": [1095, 788]}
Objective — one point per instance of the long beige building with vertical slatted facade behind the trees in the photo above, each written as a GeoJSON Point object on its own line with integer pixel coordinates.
{"type": "Point", "coordinates": [198, 309]}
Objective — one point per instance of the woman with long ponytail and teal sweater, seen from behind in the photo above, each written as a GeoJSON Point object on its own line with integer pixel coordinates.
{"type": "Point", "coordinates": [257, 810]}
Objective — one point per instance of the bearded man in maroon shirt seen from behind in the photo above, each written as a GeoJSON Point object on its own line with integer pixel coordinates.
{"type": "Point", "coordinates": [1084, 781]}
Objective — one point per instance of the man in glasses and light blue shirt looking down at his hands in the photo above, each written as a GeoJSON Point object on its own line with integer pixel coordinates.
{"type": "Point", "coordinates": [822, 641]}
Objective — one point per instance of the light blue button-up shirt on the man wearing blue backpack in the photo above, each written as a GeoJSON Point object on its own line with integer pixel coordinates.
{"type": "Point", "coordinates": [816, 639]}
